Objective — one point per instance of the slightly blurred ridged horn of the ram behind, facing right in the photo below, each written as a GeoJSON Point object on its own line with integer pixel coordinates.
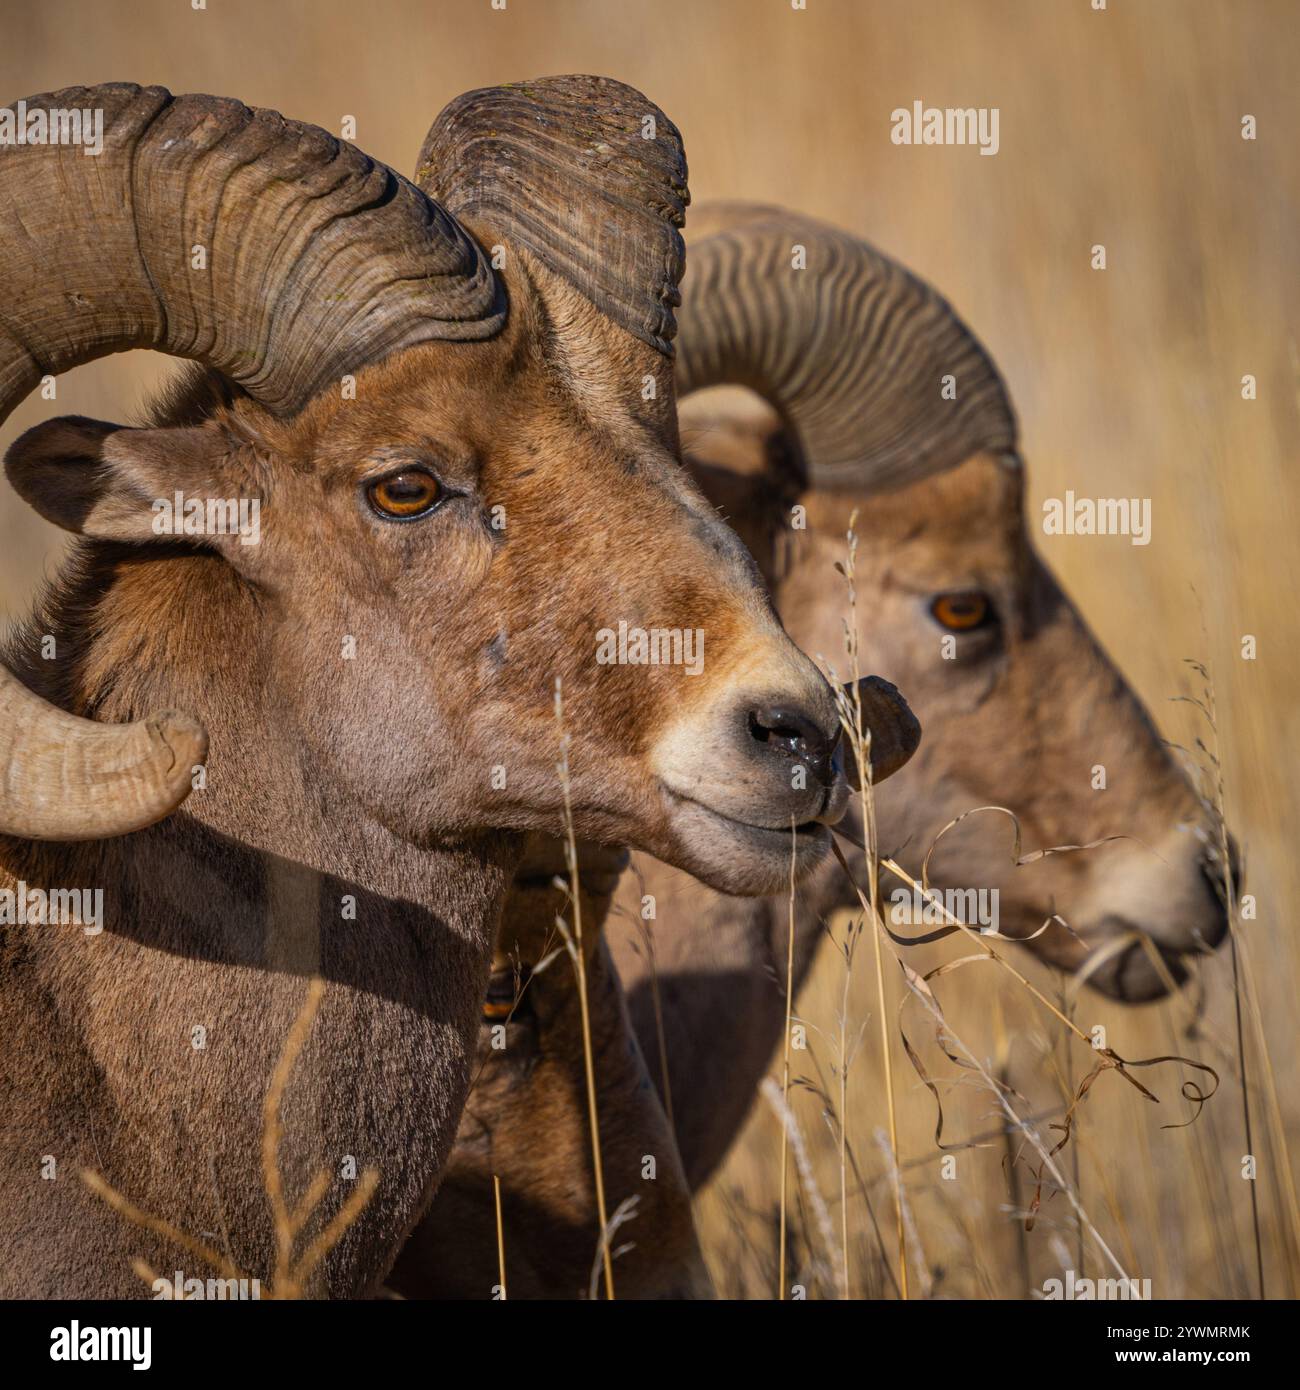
{"type": "Point", "coordinates": [852, 351]}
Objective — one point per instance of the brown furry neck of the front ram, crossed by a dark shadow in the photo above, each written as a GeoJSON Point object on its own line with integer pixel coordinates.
{"type": "Point", "coordinates": [148, 1049]}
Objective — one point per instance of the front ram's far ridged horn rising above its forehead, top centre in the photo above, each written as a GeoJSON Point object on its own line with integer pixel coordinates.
{"type": "Point", "coordinates": [587, 174]}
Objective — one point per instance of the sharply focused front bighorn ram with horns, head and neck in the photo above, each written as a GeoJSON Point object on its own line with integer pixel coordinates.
{"type": "Point", "coordinates": [376, 676]}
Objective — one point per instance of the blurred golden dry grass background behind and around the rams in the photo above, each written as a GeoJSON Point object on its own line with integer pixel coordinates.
{"type": "Point", "coordinates": [1119, 127]}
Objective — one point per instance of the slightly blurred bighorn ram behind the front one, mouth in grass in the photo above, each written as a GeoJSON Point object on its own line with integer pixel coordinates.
{"type": "Point", "coordinates": [852, 355]}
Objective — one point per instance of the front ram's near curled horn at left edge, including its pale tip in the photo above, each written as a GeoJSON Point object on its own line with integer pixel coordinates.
{"type": "Point", "coordinates": [263, 248]}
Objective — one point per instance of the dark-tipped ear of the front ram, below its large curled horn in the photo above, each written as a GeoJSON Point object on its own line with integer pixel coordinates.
{"type": "Point", "coordinates": [117, 484]}
